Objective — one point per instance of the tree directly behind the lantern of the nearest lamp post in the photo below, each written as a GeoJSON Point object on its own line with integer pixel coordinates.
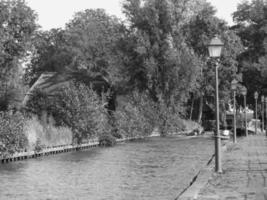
{"type": "Point", "coordinates": [198, 32]}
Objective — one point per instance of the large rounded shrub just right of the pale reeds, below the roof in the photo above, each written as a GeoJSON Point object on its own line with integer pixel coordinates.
{"type": "Point", "coordinates": [81, 109]}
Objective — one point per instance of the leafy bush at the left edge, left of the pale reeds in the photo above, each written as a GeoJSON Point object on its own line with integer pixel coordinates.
{"type": "Point", "coordinates": [12, 137]}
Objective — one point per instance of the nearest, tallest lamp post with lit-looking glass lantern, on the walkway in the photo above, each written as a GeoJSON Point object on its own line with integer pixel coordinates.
{"type": "Point", "coordinates": [215, 49]}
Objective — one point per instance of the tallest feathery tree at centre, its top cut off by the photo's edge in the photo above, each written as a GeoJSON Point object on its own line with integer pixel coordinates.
{"type": "Point", "coordinates": [159, 61]}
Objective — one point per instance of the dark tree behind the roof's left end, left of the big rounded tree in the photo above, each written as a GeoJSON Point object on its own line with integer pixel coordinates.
{"type": "Point", "coordinates": [50, 53]}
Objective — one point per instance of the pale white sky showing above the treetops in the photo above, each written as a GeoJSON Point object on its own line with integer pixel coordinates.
{"type": "Point", "coordinates": [55, 13]}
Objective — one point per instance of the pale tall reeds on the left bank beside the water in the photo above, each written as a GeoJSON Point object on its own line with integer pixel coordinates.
{"type": "Point", "coordinates": [46, 133]}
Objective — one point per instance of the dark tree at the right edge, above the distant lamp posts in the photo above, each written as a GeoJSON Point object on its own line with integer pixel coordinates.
{"type": "Point", "coordinates": [251, 24]}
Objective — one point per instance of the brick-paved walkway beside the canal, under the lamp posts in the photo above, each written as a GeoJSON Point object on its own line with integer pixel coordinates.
{"type": "Point", "coordinates": [244, 172]}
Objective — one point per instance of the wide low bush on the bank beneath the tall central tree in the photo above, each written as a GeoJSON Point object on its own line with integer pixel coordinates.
{"type": "Point", "coordinates": [140, 115]}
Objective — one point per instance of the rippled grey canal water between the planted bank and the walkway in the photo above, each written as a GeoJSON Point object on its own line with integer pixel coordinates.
{"type": "Point", "coordinates": [152, 169]}
